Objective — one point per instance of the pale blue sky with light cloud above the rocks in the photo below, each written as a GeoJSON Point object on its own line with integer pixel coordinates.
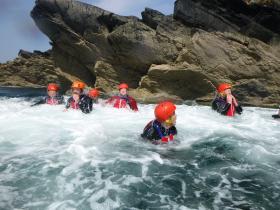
{"type": "Point", "coordinates": [18, 31]}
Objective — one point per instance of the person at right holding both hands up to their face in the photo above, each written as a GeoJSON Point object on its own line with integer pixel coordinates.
{"type": "Point", "coordinates": [225, 103]}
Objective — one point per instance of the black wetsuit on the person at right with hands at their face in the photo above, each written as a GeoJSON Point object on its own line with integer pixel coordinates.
{"type": "Point", "coordinates": [220, 105]}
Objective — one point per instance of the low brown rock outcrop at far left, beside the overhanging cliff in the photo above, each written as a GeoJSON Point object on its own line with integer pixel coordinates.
{"type": "Point", "coordinates": [35, 69]}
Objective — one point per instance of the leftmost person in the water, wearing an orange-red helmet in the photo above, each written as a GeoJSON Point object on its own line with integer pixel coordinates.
{"type": "Point", "coordinates": [53, 97]}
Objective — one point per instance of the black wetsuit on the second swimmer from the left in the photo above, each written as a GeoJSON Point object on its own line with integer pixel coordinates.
{"type": "Point", "coordinates": [84, 104]}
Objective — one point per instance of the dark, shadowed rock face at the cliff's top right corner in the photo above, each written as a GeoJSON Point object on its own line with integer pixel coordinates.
{"type": "Point", "coordinates": [258, 19]}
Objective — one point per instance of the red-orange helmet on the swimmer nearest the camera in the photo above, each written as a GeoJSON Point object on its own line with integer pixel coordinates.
{"type": "Point", "coordinates": [164, 111]}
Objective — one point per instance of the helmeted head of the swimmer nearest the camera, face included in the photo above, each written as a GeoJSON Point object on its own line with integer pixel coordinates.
{"type": "Point", "coordinates": [165, 114]}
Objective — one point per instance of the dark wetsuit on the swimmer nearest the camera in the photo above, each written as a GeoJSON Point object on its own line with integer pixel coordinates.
{"type": "Point", "coordinates": [154, 131]}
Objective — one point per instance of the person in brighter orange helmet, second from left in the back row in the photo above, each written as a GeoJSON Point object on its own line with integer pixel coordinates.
{"type": "Point", "coordinates": [78, 100]}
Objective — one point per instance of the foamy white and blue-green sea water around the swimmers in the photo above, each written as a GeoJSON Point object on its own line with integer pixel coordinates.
{"type": "Point", "coordinates": [55, 160]}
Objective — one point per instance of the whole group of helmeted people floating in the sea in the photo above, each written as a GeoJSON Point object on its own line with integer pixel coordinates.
{"type": "Point", "coordinates": [160, 130]}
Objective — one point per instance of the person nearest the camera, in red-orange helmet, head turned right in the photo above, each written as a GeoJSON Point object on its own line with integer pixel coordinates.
{"type": "Point", "coordinates": [162, 129]}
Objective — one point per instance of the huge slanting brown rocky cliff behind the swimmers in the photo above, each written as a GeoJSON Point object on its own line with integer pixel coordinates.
{"type": "Point", "coordinates": [171, 56]}
